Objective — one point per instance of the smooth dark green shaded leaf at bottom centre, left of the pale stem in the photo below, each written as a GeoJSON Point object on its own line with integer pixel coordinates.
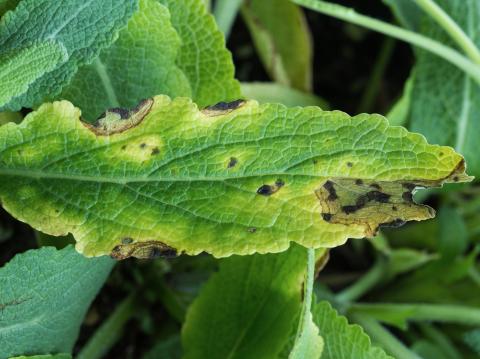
{"type": "Point", "coordinates": [251, 304]}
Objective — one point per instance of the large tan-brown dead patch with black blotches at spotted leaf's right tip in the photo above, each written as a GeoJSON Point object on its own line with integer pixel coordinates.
{"type": "Point", "coordinates": [371, 204]}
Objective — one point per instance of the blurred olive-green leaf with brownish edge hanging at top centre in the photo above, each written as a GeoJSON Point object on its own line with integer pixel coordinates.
{"type": "Point", "coordinates": [281, 36]}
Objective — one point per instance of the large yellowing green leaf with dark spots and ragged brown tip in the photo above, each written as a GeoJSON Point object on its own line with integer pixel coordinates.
{"type": "Point", "coordinates": [234, 178]}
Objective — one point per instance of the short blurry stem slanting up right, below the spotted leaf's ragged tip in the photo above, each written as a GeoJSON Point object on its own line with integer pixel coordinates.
{"type": "Point", "coordinates": [364, 284]}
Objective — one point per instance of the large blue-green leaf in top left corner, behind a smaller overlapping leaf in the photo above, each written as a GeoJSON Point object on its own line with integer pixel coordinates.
{"type": "Point", "coordinates": [76, 26]}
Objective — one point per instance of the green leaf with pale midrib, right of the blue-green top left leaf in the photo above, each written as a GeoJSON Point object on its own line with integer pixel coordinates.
{"type": "Point", "coordinates": [140, 64]}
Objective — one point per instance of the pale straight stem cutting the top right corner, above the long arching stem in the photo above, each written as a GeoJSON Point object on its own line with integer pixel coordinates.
{"type": "Point", "coordinates": [451, 28]}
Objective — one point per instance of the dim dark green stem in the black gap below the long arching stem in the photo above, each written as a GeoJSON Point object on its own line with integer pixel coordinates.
{"type": "Point", "coordinates": [375, 80]}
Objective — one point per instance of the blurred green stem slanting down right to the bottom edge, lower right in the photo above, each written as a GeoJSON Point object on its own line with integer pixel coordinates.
{"type": "Point", "coordinates": [383, 337]}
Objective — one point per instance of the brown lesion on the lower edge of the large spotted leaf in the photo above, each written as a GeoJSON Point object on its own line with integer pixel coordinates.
{"type": "Point", "coordinates": [143, 250]}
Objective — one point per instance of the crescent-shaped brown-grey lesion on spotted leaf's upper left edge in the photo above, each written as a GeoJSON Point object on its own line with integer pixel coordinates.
{"type": "Point", "coordinates": [117, 120]}
